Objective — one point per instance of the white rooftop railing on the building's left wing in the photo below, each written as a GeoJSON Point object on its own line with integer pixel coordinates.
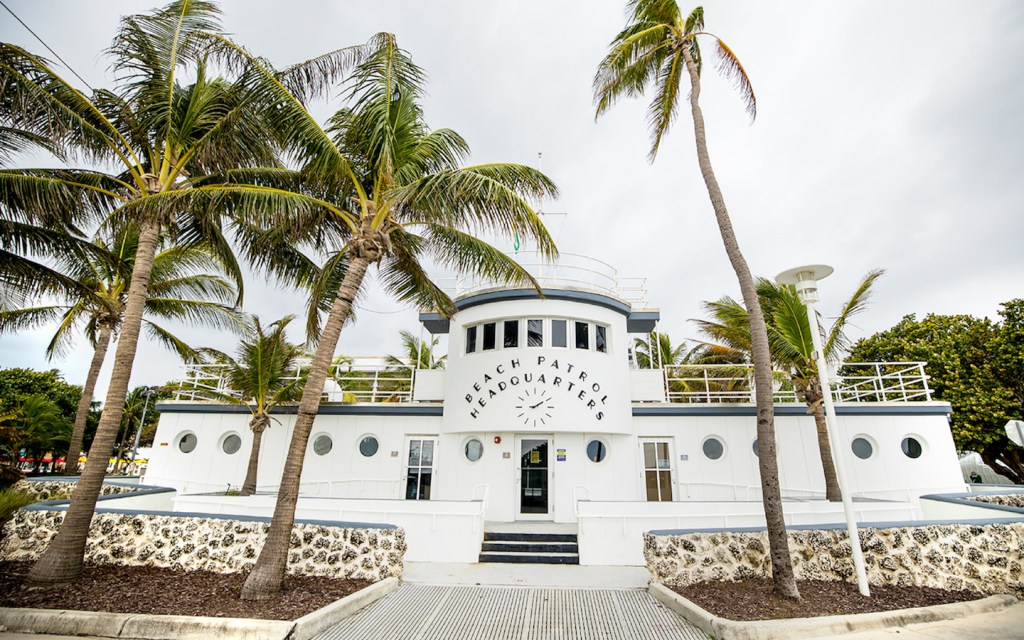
{"type": "Point", "coordinates": [356, 380]}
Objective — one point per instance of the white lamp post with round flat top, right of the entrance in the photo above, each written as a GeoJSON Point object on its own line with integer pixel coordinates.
{"type": "Point", "coordinates": [806, 281]}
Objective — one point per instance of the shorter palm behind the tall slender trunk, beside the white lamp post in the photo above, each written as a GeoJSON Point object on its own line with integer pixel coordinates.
{"type": "Point", "coordinates": [792, 350]}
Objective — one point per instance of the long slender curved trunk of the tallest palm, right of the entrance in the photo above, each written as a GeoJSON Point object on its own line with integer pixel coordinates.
{"type": "Point", "coordinates": [786, 584]}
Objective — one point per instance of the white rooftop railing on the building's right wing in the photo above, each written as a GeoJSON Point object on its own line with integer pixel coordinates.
{"type": "Point", "coordinates": [857, 382]}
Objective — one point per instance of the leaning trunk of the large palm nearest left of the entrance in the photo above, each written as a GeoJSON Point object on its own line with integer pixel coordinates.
{"type": "Point", "coordinates": [269, 573]}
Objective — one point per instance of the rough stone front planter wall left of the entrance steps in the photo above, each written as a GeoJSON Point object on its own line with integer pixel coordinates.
{"type": "Point", "coordinates": [188, 543]}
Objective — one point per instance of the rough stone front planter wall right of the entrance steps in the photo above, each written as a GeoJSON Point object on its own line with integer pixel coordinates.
{"type": "Point", "coordinates": [984, 559]}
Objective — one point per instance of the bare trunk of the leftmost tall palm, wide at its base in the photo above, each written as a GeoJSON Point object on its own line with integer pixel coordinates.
{"type": "Point", "coordinates": [62, 563]}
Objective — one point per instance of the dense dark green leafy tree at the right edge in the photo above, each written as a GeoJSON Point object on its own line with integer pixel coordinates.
{"type": "Point", "coordinates": [975, 365]}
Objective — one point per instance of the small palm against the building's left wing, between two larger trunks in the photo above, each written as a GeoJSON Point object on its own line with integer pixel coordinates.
{"type": "Point", "coordinates": [261, 379]}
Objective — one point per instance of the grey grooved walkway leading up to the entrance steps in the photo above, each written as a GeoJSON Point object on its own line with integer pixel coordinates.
{"type": "Point", "coordinates": [457, 613]}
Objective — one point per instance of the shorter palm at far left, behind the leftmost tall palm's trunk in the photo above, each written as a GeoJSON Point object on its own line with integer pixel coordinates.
{"type": "Point", "coordinates": [179, 290]}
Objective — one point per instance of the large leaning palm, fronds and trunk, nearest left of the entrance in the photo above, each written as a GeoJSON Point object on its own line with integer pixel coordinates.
{"type": "Point", "coordinates": [401, 197]}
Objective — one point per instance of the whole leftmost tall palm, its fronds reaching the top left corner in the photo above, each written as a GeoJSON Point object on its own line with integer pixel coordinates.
{"type": "Point", "coordinates": [170, 145]}
